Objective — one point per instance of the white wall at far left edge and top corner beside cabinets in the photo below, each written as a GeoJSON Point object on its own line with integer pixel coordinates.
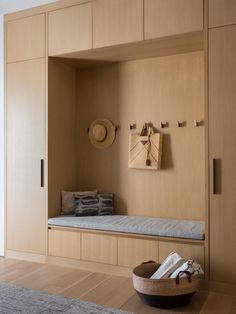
{"type": "Point", "coordinates": [7, 6]}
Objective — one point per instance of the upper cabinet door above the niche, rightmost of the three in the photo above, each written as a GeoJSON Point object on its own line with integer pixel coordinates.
{"type": "Point", "coordinates": [171, 17]}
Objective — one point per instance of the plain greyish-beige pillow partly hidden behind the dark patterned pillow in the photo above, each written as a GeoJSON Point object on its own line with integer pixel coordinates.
{"type": "Point", "coordinates": [68, 200]}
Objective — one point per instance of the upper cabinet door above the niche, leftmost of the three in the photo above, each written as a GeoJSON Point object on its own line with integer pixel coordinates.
{"type": "Point", "coordinates": [70, 29]}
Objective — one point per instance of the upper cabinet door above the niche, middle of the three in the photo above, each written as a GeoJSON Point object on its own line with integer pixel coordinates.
{"type": "Point", "coordinates": [117, 22]}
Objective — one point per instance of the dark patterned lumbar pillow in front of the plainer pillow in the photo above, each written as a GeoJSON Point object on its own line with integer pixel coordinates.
{"type": "Point", "coordinates": [93, 205]}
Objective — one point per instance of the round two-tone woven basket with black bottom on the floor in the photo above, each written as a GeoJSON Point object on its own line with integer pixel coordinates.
{"type": "Point", "coordinates": [163, 293]}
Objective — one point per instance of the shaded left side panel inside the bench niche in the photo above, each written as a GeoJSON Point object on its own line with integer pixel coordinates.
{"type": "Point", "coordinates": [61, 133]}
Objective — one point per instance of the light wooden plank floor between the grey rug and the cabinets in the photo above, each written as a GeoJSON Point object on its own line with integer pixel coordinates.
{"type": "Point", "coordinates": [107, 290]}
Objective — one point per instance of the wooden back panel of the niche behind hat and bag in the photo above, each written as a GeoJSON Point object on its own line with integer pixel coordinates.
{"type": "Point", "coordinates": [150, 90]}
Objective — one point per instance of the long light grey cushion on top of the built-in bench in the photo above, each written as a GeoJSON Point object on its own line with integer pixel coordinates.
{"type": "Point", "coordinates": [188, 229]}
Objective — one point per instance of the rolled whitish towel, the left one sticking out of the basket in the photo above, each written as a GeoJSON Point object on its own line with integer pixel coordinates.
{"type": "Point", "coordinates": [169, 265]}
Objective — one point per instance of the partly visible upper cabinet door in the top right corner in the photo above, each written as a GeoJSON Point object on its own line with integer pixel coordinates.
{"type": "Point", "coordinates": [222, 12]}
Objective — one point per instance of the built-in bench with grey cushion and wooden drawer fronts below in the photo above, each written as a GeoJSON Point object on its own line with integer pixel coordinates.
{"type": "Point", "coordinates": [124, 241]}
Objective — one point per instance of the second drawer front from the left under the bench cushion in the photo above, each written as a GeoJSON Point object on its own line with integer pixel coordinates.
{"type": "Point", "coordinates": [99, 248]}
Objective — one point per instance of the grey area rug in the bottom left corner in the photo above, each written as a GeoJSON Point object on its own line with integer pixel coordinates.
{"type": "Point", "coordinates": [14, 299]}
